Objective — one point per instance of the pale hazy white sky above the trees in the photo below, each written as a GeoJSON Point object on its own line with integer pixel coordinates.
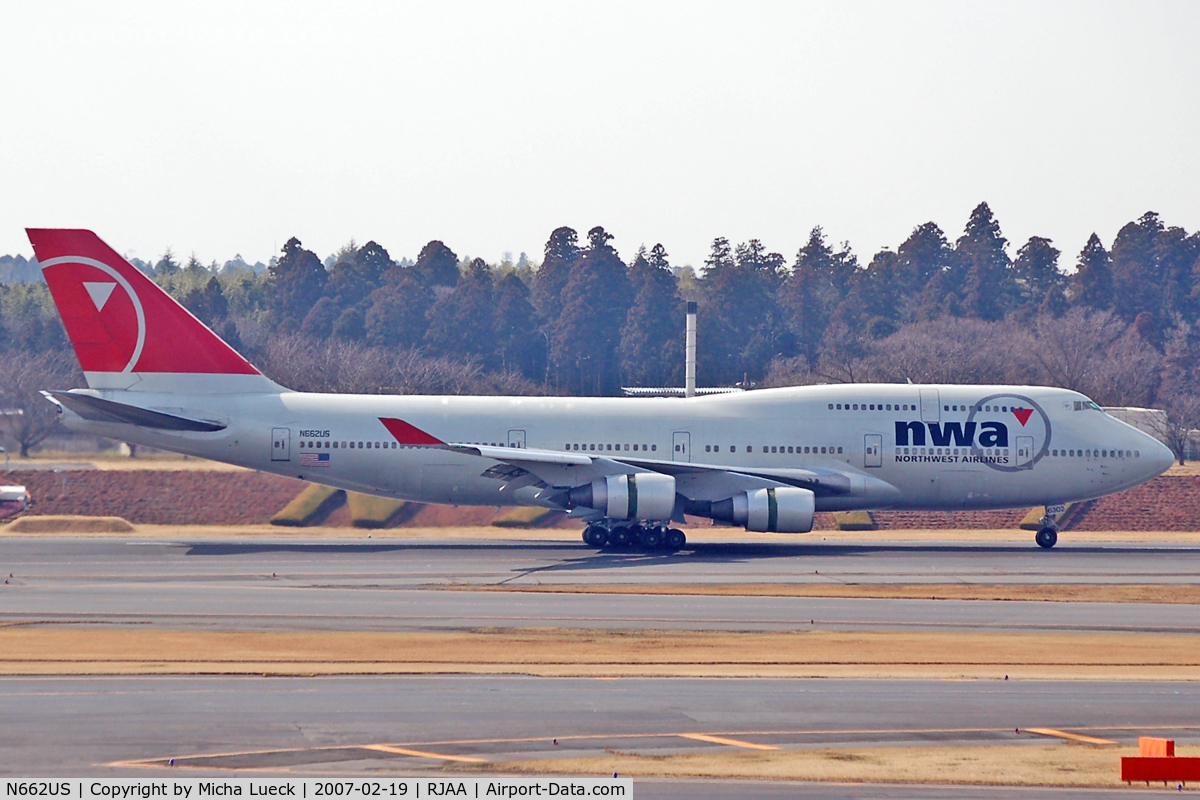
{"type": "Point", "coordinates": [227, 128]}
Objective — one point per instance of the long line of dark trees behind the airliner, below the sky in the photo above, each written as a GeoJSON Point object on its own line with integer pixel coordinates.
{"type": "Point", "coordinates": [1121, 326]}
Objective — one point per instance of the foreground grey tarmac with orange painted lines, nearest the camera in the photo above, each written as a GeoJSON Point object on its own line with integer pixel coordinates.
{"type": "Point", "coordinates": [323, 726]}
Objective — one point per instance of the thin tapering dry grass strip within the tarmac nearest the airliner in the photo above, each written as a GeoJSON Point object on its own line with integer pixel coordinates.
{"type": "Point", "coordinates": [1089, 593]}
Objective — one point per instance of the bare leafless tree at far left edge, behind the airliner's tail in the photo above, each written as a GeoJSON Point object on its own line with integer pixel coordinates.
{"type": "Point", "coordinates": [26, 416]}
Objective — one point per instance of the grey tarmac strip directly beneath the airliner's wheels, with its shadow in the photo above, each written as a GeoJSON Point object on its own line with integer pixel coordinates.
{"type": "Point", "coordinates": [427, 587]}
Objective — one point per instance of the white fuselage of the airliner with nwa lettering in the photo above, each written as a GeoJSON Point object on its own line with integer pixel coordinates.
{"type": "Point", "coordinates": [902, 447]}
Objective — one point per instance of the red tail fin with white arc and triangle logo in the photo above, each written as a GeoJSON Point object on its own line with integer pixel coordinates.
{"type": "Point", "coordinates": [124, 328]}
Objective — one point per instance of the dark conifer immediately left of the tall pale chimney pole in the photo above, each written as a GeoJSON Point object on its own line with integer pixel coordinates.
{"type": "Point", "coordinates": [653, 338]}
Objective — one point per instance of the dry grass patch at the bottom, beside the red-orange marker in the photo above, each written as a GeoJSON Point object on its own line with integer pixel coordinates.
{"type": "Point", "coordinates": [1059, 765]}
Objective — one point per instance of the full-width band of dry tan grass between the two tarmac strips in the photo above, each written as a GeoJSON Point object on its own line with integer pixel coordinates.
{"type": "Point", "coordinates": [556, 652]}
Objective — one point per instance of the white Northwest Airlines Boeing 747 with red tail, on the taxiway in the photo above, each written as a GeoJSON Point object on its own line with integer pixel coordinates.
{"type": "Point", "coordinates": [764, 460]}
